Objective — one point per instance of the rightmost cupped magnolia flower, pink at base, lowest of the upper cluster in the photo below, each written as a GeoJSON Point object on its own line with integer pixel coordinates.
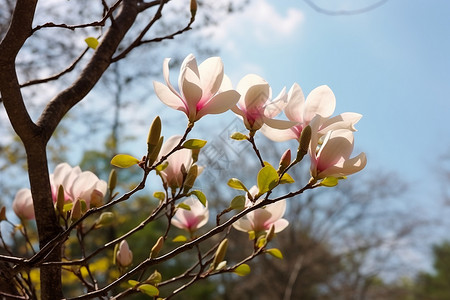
{"type": "Point", "coordinates": [332, 157]}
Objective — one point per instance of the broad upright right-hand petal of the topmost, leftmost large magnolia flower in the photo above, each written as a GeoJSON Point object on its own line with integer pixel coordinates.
{"type": "Point", "coordinates": [211, 75]}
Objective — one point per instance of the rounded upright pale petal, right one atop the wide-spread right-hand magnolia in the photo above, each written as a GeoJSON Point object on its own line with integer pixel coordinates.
{"type": "Point", "coordinates": [321, 101]}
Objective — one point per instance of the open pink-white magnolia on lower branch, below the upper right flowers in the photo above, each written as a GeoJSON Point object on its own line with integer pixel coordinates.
{"type": "Point", "coordinates": [260, 220]}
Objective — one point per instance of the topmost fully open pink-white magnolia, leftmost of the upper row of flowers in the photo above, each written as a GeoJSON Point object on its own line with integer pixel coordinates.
{"type": "Point", "coordinates": [199, 88]}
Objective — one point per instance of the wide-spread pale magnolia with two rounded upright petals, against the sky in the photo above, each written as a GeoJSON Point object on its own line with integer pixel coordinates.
{"type": "Point", "coordinates": [321, 101]}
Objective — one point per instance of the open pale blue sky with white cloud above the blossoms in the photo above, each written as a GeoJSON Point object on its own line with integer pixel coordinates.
{"type": "Point", "coordinates": [391, 64]}
